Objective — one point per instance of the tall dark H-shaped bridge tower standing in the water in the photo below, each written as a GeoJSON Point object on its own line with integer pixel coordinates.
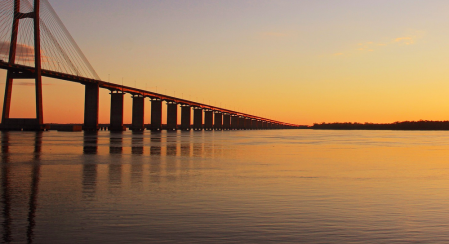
{"type": "Point", "coordinates": [26, 124]}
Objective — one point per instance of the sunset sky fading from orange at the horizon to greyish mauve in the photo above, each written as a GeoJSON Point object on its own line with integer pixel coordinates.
{"type": "Point", "coordinates": [296, 61]}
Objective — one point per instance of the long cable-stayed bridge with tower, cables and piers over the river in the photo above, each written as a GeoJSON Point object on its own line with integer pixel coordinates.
{"type": "Point", "coordinates": [42, 47]}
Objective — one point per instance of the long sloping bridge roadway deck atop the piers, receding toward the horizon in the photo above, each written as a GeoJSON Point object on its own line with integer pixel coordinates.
{"type": "Point", "coordinates": [26, 70]}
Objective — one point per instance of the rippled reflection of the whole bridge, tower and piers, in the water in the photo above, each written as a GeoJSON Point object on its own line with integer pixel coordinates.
{"type": "Point", "coordinates": [135, 158]}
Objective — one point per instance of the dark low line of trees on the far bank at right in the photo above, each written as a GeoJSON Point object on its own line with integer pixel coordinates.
{"type": "Point", "coordinates": [404, 125]}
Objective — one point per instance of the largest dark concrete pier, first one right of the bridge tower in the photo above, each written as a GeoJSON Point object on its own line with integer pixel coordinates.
{"type": "Point", "coordinates": [91, 105]}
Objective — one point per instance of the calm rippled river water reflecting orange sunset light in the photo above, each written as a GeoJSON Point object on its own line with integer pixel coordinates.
{"type": "Point", "coordinates": [285, 186]}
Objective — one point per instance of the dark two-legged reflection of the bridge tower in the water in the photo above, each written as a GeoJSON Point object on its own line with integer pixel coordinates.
{"type": "Point", "coordinates": [19, 196]}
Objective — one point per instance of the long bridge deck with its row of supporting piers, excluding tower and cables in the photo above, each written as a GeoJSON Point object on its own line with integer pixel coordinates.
{"type": "Point", "coordinates": [215, 118]}
